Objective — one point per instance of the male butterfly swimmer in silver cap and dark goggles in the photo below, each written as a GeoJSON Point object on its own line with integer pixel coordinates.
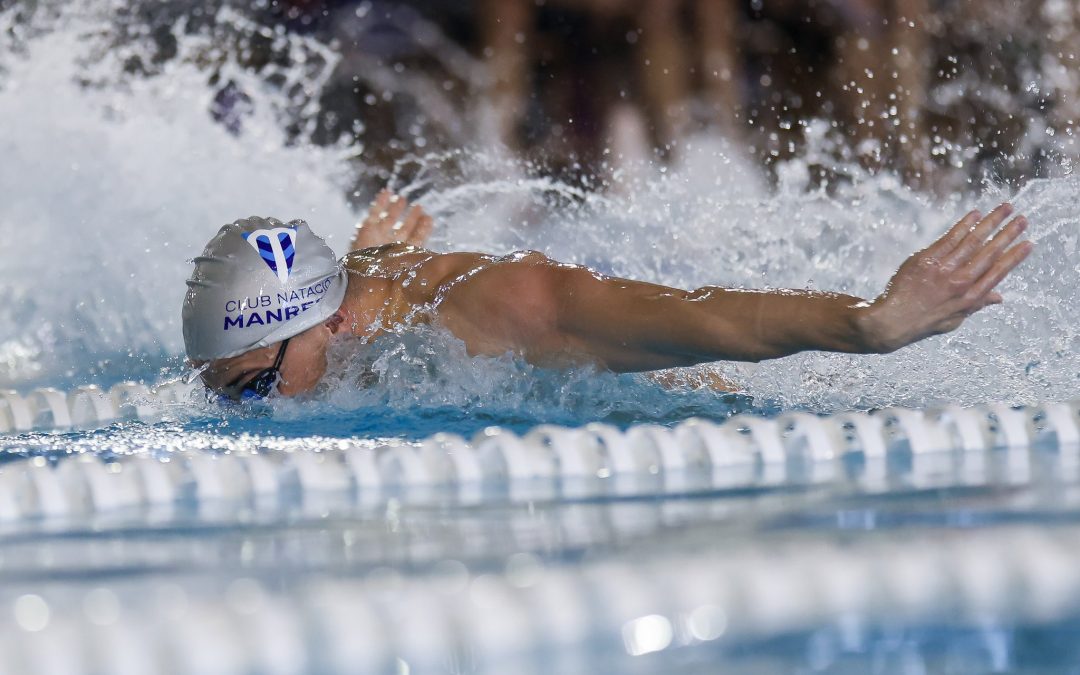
{"type": "Point", "coordinates": [266, 299]}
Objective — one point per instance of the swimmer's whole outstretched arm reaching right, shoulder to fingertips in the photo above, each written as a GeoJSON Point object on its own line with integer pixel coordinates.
{"type": "Point", "coordinates": [570, 314]}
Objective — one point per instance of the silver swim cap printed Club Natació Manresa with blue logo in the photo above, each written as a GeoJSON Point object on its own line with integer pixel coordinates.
{"type": "Point", "coordinates": [259, 282]}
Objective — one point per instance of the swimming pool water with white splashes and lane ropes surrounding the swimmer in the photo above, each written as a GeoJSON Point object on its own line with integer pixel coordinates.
{"type": "Point", "coordinates": [483, 516]}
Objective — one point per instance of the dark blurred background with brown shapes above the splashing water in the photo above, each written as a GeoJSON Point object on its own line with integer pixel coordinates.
{"type": "Point", "coordinates": [940, 92]}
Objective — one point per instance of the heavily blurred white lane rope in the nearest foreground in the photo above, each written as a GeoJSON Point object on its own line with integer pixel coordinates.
{"type": "Point", "coordinates": [597, 617]}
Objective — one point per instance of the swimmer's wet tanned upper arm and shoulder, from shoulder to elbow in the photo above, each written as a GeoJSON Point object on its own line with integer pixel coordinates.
{"type": "Point", "coordinates": [562, 315]}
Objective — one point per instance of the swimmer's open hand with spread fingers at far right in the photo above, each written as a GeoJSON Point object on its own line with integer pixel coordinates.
{"type": "Point", "coordinates": [938, 289]}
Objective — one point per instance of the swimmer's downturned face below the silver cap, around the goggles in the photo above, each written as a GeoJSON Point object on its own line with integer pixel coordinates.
{"type": "Point", "coordinates": [303, 367]}
